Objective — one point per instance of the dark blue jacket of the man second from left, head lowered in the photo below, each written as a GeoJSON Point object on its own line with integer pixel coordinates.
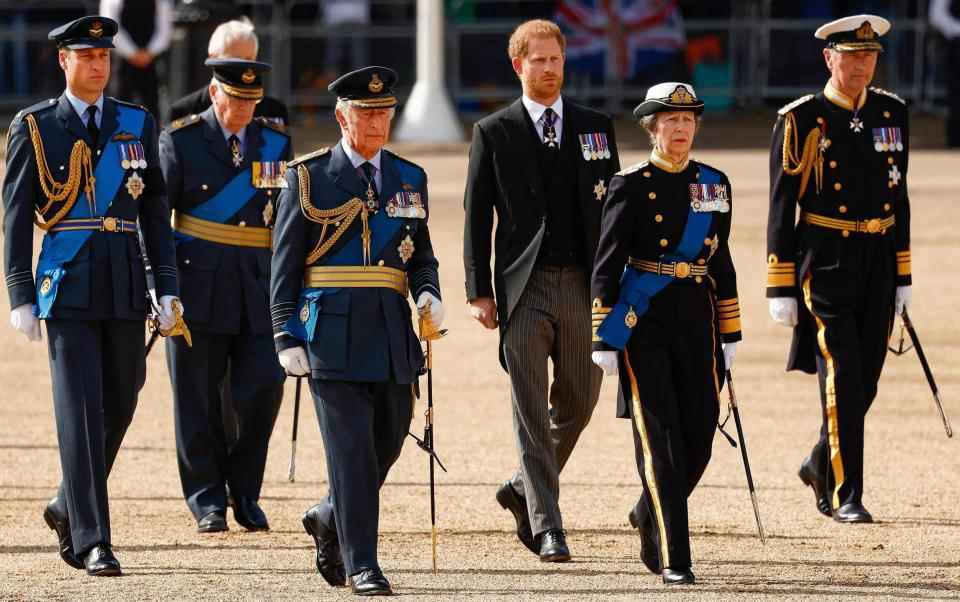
{"type": "Point", "coordinates": [225, 288]}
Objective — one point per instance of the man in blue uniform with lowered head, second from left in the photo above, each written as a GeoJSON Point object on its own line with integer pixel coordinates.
{"type": "Point", "coordinates": [223, 170]}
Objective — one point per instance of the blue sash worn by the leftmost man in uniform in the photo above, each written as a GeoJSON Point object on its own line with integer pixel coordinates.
{"type": "Point", "coordinates": [59, 248]}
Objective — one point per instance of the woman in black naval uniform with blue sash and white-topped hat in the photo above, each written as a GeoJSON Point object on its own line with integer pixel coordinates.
{"type": "Point", "coordinates": [664, 305]}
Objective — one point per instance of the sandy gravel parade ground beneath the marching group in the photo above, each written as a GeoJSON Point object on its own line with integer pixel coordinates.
{"type": "Point", "coordinates": [912, 469]}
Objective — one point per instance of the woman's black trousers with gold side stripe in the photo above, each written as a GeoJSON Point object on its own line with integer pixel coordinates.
{"type": "Point", "coordinates": [670, 377]}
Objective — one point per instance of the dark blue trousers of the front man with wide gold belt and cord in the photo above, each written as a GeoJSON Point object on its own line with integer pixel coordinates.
{"type": "Point", "coordinates": [363, 427]}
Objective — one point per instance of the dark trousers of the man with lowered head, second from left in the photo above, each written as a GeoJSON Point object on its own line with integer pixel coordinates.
{"type": "Point", "coordinates": [245, 369]}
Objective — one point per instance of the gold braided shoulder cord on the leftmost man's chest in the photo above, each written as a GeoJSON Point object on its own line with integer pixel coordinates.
{"type": "Point", "coordinates": [81, 165]}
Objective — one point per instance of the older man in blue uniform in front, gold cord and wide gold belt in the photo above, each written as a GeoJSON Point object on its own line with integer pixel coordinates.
{"type": "Point", "coordinates": [351, 242]}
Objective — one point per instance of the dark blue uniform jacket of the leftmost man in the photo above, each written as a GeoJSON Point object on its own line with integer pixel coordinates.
{"type": "Point", "coordinates": [105, 279]}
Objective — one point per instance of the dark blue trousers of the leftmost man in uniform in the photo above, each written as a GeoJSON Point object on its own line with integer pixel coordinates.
{"type": "Point", "coordinates": [96, 368]}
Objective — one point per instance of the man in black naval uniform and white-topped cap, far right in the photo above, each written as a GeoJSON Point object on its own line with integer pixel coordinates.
{"type": "Point", "coordinates": [839, 273]}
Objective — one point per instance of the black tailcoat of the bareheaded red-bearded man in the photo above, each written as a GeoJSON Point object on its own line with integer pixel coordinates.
{"type": "Point", "coordinates": [503, 179]}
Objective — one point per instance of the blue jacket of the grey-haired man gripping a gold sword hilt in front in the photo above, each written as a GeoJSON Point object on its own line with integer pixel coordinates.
{"type": "Point", "coordinates": [361, 334]}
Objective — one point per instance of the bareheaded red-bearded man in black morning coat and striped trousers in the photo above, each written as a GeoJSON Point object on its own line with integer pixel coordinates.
{"type": "Point", "coordinates": [542, 166]}
